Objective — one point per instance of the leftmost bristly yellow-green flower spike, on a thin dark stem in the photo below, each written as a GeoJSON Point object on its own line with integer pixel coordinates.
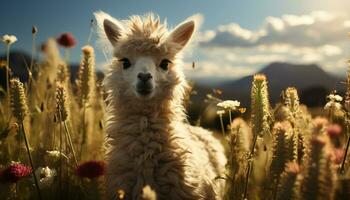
{"type": "Point", "coordinates": [18, 99]}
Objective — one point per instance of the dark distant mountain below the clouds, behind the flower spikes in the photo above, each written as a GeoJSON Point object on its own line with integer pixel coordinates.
{"type": "Point", "coordinates": [308, 79]}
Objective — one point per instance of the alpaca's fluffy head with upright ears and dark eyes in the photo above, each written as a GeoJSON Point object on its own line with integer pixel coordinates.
{"type": "Point", "coordinates": [146, 62]}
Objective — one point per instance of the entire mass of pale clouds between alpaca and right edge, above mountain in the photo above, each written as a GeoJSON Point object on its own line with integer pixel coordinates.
{"type": "Point", "coordinates": [231, 51]}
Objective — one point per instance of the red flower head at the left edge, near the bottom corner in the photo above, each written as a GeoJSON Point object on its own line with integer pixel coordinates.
{"type": "Point", "coordinates": [15, 172]}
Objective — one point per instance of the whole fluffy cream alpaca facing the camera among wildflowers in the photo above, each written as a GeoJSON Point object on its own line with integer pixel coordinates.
{"type": "Point", "coordinates": [148, 140]}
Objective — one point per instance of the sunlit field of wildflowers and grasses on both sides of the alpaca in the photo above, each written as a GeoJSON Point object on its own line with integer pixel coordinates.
{"type": "Point", "coordinates": [51, 136]}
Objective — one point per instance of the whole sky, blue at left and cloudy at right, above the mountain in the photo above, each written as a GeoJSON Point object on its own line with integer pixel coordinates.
{"type": "Point", "coordinates": [244, 25]}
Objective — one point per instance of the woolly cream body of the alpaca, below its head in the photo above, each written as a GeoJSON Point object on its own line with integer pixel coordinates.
{"type": "Point", "coordinates": [172, 157]}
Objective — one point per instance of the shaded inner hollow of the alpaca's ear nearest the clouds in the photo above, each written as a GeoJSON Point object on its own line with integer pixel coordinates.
{"type": "Point", "coordinates": [182, 33]}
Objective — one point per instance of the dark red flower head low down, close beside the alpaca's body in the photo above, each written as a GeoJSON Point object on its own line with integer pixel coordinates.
{"type": "Point", "coordinates": [91, 169]}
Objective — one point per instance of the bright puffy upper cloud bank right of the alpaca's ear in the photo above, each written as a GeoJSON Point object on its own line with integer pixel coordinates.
{"type": "Point", "coordinates": [317, 28]}
